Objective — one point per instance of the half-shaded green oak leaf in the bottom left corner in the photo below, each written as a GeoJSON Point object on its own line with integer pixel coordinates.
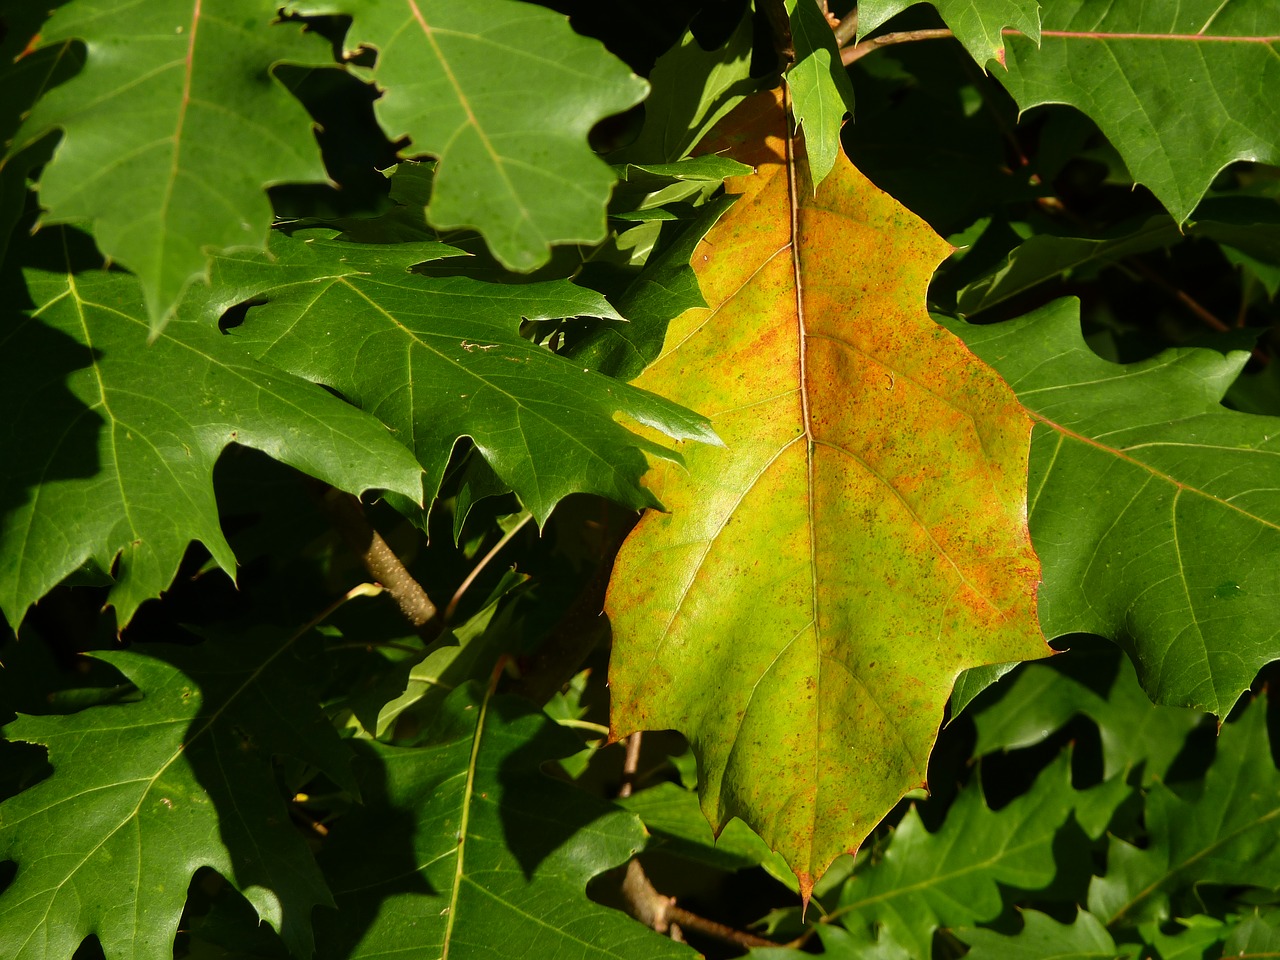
{"type": "Point", "coordinates": [147, 793]}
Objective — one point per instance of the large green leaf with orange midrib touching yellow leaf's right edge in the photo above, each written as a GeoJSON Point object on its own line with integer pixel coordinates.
{"type": "Point", "coordinates": [1153, 508]}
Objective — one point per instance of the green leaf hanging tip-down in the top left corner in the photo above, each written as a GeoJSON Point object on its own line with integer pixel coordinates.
{"type": "Point", "coordinates": [172, 134]}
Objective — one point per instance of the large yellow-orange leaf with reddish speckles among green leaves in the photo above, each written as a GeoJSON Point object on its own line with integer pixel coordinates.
{"type": "Point", "coordinates": [820, 584]}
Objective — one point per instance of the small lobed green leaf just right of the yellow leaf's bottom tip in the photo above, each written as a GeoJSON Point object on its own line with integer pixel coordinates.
{"type": "Point", "coordinates": [925, 881]}
